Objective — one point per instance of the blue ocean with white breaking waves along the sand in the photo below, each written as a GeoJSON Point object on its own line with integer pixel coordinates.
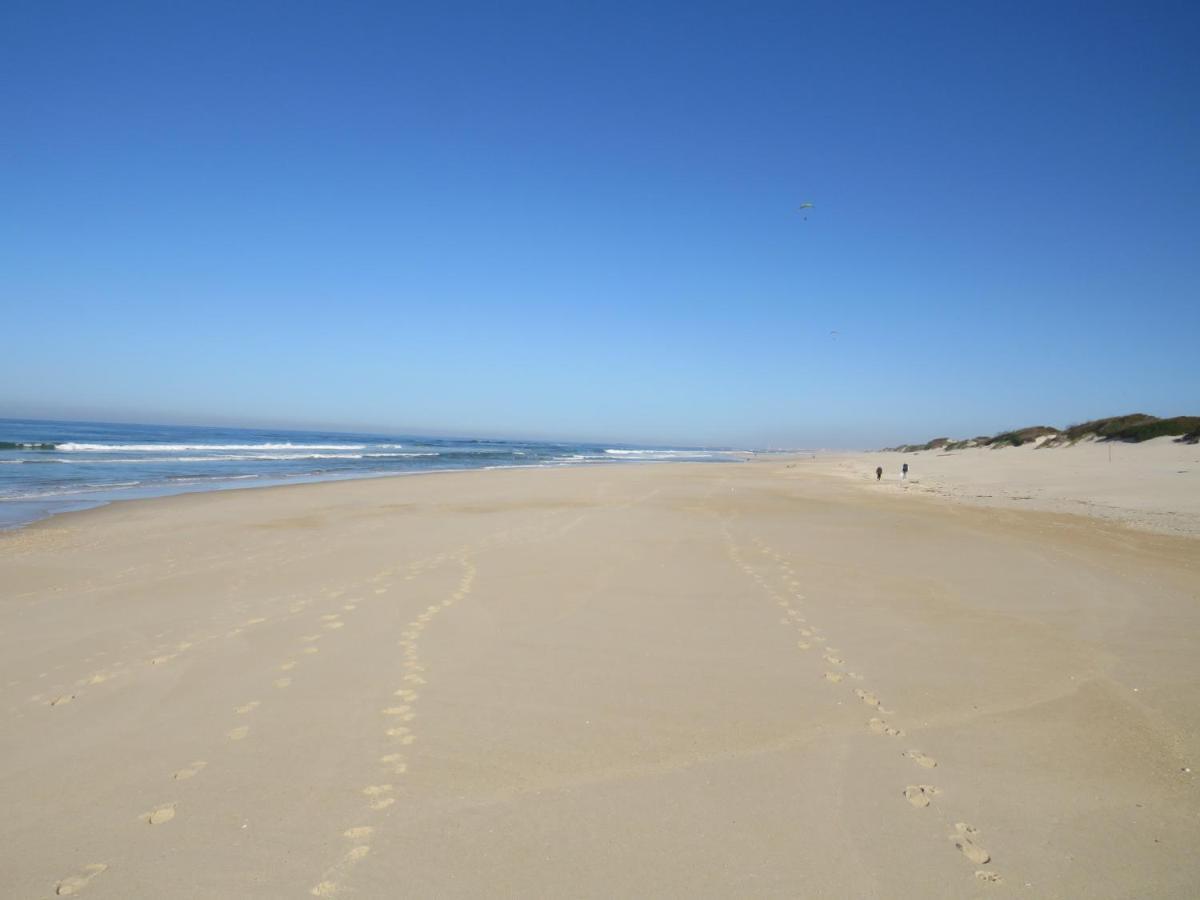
{"type": "Point", "coordinates": [50, 467]}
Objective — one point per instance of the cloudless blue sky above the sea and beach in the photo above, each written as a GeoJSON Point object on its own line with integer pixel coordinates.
{"type": "Point", "coordinates": [581, 221]}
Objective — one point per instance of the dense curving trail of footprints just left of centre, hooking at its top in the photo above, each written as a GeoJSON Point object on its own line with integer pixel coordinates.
{"type": "Point", "coordinates": [397, 728]}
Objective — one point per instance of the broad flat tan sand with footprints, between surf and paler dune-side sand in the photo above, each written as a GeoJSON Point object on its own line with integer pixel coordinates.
{"type": "Point", "coordinates": [652, 681]}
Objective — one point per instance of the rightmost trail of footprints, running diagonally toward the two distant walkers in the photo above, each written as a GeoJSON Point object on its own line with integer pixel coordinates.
{"type": "Point", "coordinates": [965, 838]}
